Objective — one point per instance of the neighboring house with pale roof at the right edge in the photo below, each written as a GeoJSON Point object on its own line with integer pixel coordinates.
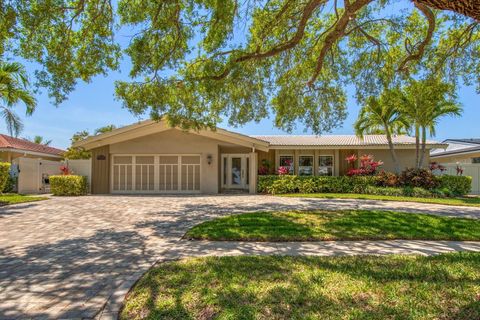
{"type": "Point", "coordinates": [458, 150]}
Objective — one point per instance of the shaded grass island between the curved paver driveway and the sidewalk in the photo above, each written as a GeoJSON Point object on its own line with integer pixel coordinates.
{"type": "Point", "coordinates": [335, 225]}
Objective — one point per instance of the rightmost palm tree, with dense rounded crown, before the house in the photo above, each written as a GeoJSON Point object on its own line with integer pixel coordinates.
{"type": "Point", "coordinates": [424, 102]}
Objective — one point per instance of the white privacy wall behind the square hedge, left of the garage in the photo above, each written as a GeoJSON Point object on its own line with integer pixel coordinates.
{"type": "Point", "coordinates": [33, 174]}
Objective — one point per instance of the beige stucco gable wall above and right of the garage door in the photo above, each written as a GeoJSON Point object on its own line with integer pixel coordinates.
{"type": "Point", "coordinates": [174, 141]}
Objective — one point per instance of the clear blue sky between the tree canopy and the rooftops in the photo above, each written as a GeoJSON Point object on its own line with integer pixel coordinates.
{"type": "Point", "coordinates": [93, 105]}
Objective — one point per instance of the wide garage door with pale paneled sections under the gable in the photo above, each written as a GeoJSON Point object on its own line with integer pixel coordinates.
{"type": "Point", "coordinates": [155, 173]}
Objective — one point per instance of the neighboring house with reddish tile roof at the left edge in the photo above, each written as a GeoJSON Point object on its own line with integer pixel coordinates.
{"type": "Point", "coordinates": [12, 148]}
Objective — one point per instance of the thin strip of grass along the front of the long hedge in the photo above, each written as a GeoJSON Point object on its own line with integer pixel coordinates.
{"type": "Point", "coordinates": [458, 201]}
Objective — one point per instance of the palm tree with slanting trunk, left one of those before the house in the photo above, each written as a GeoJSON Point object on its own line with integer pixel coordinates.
{"type": "Point", "coordinates": [382, 115]}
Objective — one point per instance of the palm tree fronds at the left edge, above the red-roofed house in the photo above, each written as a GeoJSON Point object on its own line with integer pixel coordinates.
{"type": "Point", "coordinates": [13, 90]}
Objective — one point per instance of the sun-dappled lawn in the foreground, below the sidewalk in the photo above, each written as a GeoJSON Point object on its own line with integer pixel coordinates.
{"type": "Point", "coordinates": [272, 287]}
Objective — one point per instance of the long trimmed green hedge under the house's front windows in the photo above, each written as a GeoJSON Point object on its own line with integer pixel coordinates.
{"type": "Point", "coordinates": [442, 186]}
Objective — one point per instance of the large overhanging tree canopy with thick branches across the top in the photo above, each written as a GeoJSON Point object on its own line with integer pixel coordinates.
{"type": "Point", "coordinates": [198, 61]}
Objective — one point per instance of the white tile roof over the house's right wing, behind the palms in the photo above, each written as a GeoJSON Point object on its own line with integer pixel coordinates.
{"type": "Point", "coordinates": [341, 141]}
